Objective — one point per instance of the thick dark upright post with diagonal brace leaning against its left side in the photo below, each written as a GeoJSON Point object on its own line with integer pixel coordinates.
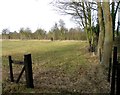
{"type": "Point", "coordinates": [28, 71]}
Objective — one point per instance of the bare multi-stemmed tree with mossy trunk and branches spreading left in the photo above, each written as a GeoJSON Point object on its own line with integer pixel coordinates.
{"type": "Point", "coordinates": [81, 12]}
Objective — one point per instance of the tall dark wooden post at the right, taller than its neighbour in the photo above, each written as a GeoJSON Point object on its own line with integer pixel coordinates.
{"type": "Point", "coordinates": [114, 71]}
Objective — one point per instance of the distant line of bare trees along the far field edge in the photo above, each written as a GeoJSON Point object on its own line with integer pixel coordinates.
{"type": "Point", "coordinates": [57, 32]}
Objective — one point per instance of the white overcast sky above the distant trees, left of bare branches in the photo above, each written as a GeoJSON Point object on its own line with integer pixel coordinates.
{"type": "Point", "coordinates": [34, 14]}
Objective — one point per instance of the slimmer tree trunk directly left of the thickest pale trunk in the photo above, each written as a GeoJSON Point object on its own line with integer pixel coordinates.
{"type": "Point", "coordinates": [102, 30]}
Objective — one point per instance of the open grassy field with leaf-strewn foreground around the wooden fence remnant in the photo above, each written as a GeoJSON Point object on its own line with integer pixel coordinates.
{"type": "Point", "coordinates": [58, 66]}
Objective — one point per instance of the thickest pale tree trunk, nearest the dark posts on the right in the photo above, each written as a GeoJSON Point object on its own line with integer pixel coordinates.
{"type": "Point", "coordinates": [108, 41]}
